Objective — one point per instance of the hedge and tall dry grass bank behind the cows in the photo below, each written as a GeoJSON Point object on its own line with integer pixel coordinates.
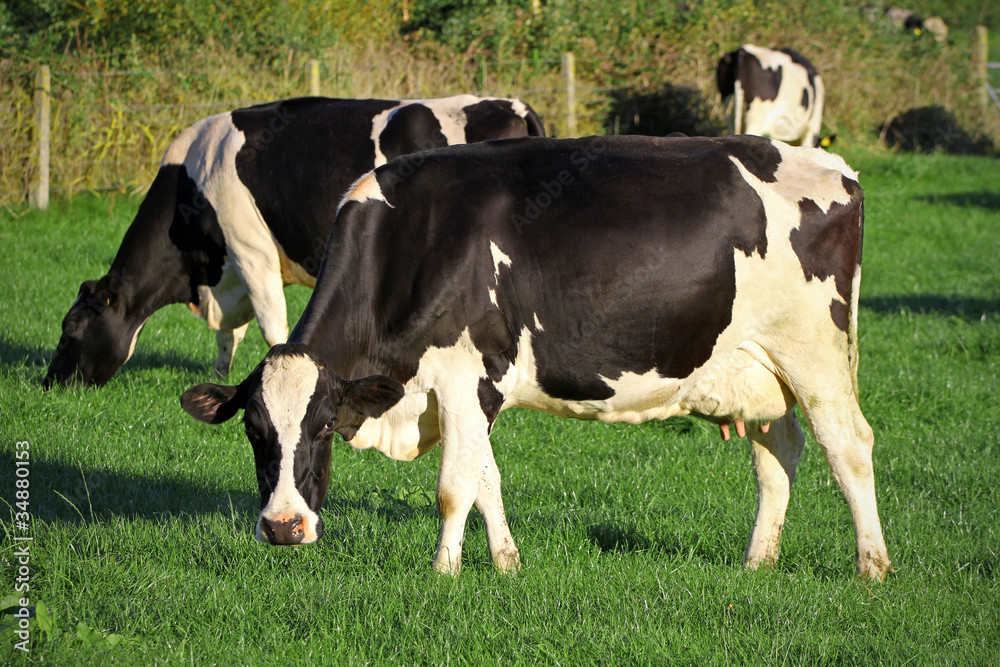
{"type": "Point", "coordinates": [128, 75]}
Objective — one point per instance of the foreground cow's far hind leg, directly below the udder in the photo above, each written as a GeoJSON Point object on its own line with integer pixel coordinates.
{"type": "Point", "coordinates": [775, 457]}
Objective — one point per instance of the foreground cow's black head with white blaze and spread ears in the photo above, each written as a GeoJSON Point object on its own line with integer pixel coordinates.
{"type": "Point", "coordinates": [292, 405]}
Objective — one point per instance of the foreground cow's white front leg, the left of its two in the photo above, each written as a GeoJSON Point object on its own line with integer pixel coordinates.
{"type": "Point", "coordinates": [464, 446]}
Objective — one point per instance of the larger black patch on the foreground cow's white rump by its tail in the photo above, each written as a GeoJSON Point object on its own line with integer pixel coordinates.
{"type": "Point", "coordinates": [829, 244]}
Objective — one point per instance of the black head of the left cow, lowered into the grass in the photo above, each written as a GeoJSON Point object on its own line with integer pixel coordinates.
{"type": "Point", "coordinates": [98, 335]}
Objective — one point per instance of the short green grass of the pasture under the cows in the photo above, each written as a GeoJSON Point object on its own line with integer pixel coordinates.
{"type": "Point", "coordinates": [631, 535]}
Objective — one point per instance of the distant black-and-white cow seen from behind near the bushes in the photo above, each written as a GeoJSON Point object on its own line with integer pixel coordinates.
{"type": "Point", "coordinates": [776, 94]}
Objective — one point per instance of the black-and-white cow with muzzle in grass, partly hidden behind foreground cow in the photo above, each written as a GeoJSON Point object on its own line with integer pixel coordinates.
{"type": "Point", "coordinates": [242, 205]}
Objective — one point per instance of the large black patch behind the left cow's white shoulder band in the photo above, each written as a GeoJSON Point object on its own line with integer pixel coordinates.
{"type": "Point", "coordinates": [315, 148]}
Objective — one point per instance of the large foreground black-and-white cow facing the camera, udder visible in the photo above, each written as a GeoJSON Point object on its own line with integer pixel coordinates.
{"type": "Point", "coordinates": [621, 279]}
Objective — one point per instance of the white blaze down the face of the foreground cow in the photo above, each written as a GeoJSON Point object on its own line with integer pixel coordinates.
{"type": "Point", "coordinates": [287, 384]}
